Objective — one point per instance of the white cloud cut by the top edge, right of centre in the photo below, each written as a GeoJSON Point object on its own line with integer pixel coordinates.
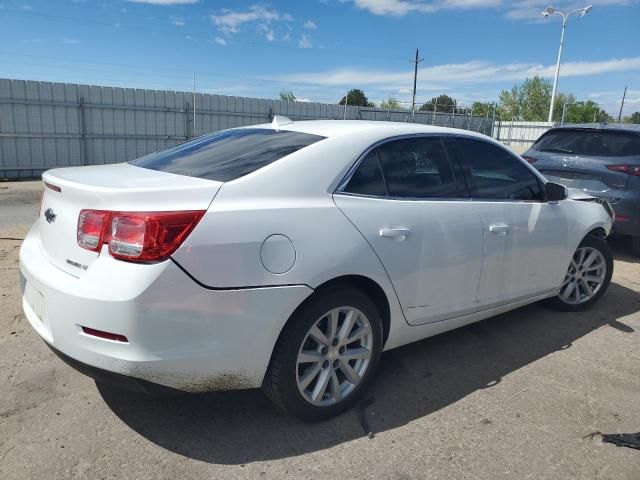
{"type": "Point", "coordinates": [518, 10]}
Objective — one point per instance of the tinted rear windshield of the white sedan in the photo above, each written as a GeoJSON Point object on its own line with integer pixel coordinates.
{"type": "Point", "coordinates": [227, 155]}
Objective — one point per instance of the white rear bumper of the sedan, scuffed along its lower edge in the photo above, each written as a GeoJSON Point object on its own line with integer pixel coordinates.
{"type": "Point", "coordinates": [180, 335]}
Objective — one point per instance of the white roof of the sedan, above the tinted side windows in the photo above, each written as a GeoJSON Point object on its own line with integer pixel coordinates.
{"type": "Point", "coordinates": [334, 128]}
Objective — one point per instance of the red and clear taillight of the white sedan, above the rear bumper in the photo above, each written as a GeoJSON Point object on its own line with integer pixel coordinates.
{"type": "Point", "coordinates": [136, 236]}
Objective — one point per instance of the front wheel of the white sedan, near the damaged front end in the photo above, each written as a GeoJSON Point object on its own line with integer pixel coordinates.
{"type": "Point", "coordinates": [574, 301]}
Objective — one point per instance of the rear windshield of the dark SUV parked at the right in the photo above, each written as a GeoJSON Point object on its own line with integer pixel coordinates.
{"type": "Point", "coordinates": [595, 143]}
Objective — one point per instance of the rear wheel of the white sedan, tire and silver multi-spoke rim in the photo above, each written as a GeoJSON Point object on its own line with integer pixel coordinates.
{"type": "Point", "coordinates": [285, 381]}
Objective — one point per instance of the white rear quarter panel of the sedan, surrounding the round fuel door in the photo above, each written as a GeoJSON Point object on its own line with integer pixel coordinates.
{"type": "Point", "coordinates": [291, 197]}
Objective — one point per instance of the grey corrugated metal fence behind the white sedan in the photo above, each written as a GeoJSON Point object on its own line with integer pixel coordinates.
{"type": "Point", "coordinates": [46, 125]}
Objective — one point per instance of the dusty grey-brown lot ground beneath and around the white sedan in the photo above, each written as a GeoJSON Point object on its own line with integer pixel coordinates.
{"type": "Point", "coordinates": [516, 397]}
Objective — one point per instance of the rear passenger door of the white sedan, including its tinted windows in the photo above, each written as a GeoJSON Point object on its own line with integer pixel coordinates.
{"type": "Point", "coordinates": [407, 201]}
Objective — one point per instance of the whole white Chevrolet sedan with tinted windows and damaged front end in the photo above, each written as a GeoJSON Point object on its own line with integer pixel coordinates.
{"type": "Point", "coordinates": [289, 255]}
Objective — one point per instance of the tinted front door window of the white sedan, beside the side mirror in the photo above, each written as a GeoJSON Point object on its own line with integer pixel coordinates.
{"type": "Point", "coordinates": [494, 173]}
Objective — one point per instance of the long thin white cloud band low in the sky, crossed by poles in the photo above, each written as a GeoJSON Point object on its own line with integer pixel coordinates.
{"type": "Point", "coordinates": [468, 73]}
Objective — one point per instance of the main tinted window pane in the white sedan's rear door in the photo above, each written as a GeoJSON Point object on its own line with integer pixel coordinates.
{"type": "Point", "coordinates": [417, 168]}
